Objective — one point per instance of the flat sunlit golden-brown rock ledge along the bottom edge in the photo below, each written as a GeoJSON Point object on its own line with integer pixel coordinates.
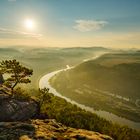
{"type": "Point", "coordinates": [45, 130]}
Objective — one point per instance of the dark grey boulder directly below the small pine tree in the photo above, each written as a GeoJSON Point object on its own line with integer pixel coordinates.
{"type": "Point", "coordinates": [16, 110]}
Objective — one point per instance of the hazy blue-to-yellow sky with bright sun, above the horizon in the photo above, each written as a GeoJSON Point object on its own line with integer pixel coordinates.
{"type": "Point", "coordinates": [69, 23]}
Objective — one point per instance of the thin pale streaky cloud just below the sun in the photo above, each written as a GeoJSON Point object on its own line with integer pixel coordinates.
{"type": "Point", "coordinates": [5, 33]}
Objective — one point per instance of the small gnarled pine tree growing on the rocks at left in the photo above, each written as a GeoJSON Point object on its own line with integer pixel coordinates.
{"type": "Point", "coordinates": [17, 73]}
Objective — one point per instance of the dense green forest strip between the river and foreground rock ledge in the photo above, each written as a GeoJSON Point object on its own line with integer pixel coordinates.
{"type": "Point", "coordinates": [71, 115]}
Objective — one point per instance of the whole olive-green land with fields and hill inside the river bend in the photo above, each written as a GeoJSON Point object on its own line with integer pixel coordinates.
{"type": "Point", "coordinates": [111, 83]}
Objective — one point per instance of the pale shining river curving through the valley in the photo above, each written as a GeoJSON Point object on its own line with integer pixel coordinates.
{"type": "Point", "coordinates": [44, 83]}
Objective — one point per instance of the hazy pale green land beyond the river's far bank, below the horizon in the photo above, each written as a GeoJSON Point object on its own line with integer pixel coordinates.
{"type": "Point", "coordinates": [45, 60]}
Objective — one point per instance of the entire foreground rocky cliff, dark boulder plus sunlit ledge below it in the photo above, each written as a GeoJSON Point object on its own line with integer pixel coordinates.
{"type": "Point", "coordinates": [13, 126]}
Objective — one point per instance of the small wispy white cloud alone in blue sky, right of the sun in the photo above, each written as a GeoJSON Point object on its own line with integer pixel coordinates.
{"type": "Point", "coordinates": [89, 25]}
